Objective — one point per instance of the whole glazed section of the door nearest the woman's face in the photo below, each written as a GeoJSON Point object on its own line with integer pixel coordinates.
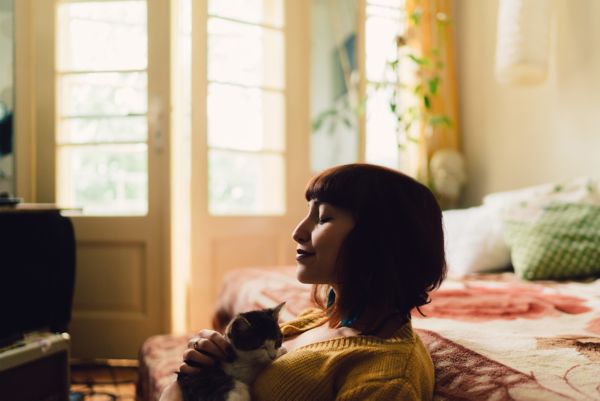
{"type": "Point", "coordinates": [246, 107]}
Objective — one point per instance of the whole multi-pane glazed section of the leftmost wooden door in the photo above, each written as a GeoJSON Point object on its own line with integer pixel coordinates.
{"type": "Point", "coordinates": [102, 129]}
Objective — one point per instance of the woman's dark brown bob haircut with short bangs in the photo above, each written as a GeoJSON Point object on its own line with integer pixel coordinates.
{"type": "Point", "coordinates": [394, 255]}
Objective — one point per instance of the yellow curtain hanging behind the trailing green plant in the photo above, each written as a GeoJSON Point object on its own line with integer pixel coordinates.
{"type": "Point", "coordinates": [430, 35]}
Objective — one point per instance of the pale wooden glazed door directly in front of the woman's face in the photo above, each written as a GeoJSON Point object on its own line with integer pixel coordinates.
{"type": "Point", "coordinates": [225, 240]}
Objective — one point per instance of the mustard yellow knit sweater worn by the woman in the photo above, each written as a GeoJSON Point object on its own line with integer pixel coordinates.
{"type": "Point", "coordinates": [348, 368]}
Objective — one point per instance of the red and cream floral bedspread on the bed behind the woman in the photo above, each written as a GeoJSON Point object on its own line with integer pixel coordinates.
{"type": "Point", "coordinates": [491, 337]}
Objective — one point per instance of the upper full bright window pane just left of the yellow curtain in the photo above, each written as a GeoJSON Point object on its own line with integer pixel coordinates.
{"type": "Point", "coordinates": [381, 47]}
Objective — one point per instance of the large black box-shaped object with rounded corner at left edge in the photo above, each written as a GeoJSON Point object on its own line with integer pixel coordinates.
{"type": "Point", "coordinates": [37, 272]}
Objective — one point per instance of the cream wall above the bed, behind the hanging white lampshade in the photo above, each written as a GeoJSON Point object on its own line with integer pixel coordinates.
{"type": "Point", "coordinates": [514, 137]}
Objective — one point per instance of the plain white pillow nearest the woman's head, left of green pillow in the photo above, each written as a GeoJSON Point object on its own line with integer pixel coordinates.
{"type": "Point", "coordinates": [474, 241]}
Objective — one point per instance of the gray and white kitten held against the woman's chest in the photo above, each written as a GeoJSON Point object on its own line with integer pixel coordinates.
{"type": "Point", "coordinates": [256, 339]}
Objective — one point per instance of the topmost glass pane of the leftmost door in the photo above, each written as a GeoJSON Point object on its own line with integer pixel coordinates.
{"type": "Point", "coordinates": [96, 36]}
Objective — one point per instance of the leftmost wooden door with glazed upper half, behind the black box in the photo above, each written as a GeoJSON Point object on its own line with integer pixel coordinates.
{"type": "Point", "coordinates": [101, 91]}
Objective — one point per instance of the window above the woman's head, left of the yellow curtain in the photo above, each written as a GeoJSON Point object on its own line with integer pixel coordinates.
{"type": "Point", "coordinates": [352, 83]}
